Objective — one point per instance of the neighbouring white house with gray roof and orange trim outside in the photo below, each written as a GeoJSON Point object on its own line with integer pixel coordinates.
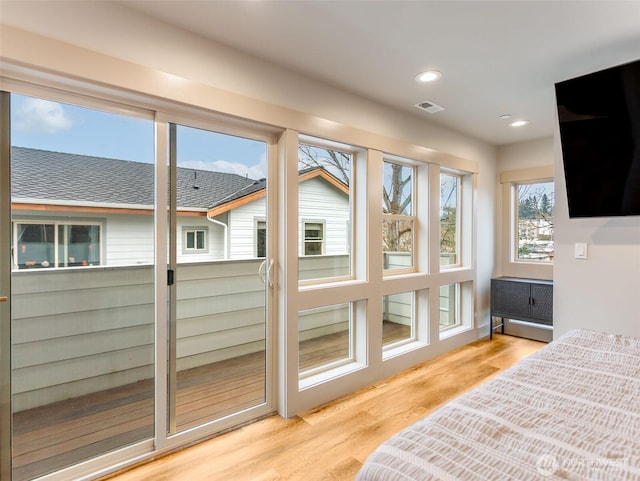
{"type": "Point", "coordinates": [76, 210]}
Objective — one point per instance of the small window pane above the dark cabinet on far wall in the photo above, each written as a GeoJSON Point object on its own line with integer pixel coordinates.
{"type": "Point", "coordinates": [534, 222]}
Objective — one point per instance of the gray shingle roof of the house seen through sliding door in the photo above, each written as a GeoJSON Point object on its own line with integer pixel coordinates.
{"type": "Point", "coordinates": [55, 176]}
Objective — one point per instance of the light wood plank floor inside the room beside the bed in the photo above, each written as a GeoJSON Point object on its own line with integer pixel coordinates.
{"type": "Point", "coordinates": [332, 441]}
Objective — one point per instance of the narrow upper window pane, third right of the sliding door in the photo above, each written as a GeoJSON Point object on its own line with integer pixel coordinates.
{"type": "Point", "coordinates": [449, 219]}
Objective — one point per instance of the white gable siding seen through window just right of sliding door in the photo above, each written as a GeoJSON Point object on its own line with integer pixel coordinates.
{"type": "Point", "coordinates": [320, 201]}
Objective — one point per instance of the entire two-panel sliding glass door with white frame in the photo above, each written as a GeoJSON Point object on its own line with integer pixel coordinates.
{"type": "Point", "coordinates": [101, 360]}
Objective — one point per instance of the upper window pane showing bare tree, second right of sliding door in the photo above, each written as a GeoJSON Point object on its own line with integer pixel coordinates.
{"type": "Point", "coordinates": [397, 216]}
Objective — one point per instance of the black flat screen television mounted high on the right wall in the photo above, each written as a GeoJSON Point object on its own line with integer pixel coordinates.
{"type": "Point", "coordinates": [599, 115]}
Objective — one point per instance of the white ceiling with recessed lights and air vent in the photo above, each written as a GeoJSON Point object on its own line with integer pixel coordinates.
{"type": "Point", "coordinates": [495, 57]}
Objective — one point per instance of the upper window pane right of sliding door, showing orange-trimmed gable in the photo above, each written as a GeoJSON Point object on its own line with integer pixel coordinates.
{"type": "Point", "coordinates": [324, 197]}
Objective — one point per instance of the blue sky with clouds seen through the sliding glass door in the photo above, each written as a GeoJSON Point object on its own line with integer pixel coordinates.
{"type": "Point", "coordinates": [47, 125]}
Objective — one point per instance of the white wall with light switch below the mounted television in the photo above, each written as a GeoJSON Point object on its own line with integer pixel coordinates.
{"type": "Point", "coordinates": [603, 291]}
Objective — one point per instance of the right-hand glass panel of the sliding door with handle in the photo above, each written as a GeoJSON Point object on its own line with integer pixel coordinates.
{"type": "Point", "coordinates": [219, 252]}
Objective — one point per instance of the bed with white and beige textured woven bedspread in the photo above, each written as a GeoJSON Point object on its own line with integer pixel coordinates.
{"type": "Point", "coordinates": [569, 411]}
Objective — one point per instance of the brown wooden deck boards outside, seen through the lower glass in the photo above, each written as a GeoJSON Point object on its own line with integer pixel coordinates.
{"type": "Point", "coordinates": [64, 433]}
